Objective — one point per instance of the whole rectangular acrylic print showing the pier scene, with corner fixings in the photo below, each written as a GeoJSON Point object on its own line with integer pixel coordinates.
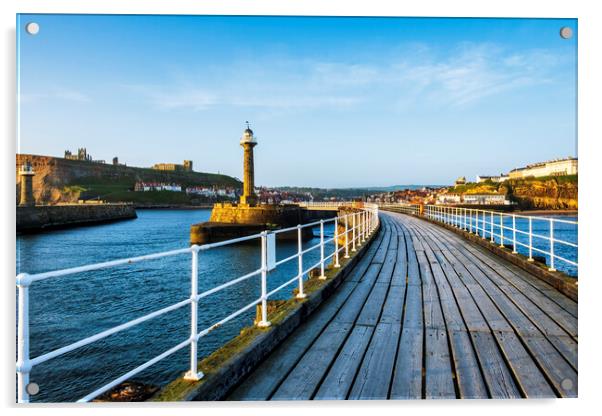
{"type": "Point", "coordinates": [278, 208]}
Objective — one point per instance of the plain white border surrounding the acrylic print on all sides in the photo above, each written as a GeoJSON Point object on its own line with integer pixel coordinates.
{"type": "Point", "coordinates": [590, 114]}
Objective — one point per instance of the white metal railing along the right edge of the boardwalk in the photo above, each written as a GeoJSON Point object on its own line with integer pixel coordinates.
{"type": "Point", "coordinates": [506, 228]}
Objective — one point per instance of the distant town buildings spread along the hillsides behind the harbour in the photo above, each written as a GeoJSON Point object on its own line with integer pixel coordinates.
{"type": "Point", "coordinates": [489, 190]}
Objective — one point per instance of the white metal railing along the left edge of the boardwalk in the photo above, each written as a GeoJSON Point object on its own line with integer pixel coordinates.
{"type": "Point", "coordinates": [358, 226]}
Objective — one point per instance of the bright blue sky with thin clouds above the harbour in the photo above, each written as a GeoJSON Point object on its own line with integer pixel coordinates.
{"type": "Point", "coordinates": [334, 102]}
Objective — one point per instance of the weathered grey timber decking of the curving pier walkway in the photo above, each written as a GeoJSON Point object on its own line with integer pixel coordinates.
{"type": "Point", "coordinates": [426, 314]}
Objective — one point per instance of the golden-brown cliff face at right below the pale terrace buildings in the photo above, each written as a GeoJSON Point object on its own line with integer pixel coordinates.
{"type": "Point", "coordinates": [545, 194]}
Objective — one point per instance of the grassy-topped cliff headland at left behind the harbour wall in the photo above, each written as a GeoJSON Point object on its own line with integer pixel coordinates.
{"type": "Point", "coordinates": [62, 180]}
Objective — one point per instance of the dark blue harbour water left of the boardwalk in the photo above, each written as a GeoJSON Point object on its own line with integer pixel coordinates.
{"type": "Point", "coordinates": [66, 309]}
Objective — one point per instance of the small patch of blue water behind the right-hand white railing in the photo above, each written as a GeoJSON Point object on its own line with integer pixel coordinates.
{"type": "Point", "coordinates": [540, 240]}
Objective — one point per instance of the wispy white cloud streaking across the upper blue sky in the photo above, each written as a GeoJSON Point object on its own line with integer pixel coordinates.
{"type": "Point", "coordinates": [463, 76]}
